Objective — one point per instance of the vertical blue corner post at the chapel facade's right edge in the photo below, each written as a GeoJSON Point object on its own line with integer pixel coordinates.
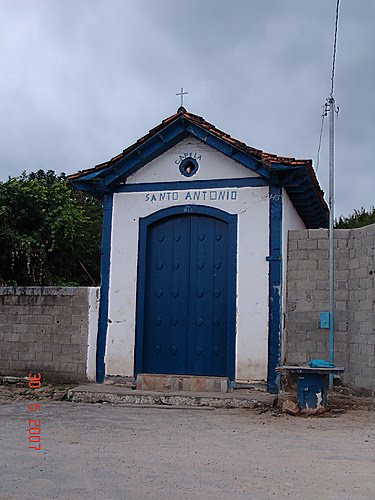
{"type": "Point", "coordinates": [275, 287]}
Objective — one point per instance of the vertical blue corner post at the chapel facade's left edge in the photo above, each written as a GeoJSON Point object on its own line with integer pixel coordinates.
{"type": "Point", "coordinates": [104, 287]}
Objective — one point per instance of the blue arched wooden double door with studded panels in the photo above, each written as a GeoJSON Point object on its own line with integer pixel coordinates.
{"type": "Point", "coordinates": [187, 283]}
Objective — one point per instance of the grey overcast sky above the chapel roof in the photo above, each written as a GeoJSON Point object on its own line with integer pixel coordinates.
{"type": "Point", "coordinates": [82, 79]}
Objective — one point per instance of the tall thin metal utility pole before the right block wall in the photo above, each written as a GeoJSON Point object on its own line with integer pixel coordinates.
{"type": "Point", "coordinates": [331, 102]}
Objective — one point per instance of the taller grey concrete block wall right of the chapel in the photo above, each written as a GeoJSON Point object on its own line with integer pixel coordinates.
{"type": "Point", "coordinates": [308, 295]}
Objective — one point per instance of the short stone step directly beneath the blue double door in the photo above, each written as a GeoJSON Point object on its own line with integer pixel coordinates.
{"type": "Point", "coordinates": [178, 383]}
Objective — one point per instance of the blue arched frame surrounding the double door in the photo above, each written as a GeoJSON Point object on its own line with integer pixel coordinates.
{"type": "Point", "coordinates": [232, 272]}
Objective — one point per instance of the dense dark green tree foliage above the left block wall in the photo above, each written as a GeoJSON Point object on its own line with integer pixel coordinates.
{"type": "Point", "coordinates": [50, 234]}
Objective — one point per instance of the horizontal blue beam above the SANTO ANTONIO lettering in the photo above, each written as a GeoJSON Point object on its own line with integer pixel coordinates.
{"type": "Point", "coordinates": [186, 185]}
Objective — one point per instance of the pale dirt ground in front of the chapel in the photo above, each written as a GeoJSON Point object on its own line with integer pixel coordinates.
{"type": "Point", "coordinates": [101, 451]}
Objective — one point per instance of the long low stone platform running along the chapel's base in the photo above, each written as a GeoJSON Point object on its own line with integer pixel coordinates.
{"type": "Point", "coordinates": [100, 393]}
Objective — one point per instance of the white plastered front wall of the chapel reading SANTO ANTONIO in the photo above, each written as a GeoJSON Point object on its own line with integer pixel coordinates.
{"type": "Point", "coordinates": [249, 203]}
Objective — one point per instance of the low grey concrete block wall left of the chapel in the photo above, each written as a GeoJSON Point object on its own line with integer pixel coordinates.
{"type": "Point", "coordinates": [45, 329]}
